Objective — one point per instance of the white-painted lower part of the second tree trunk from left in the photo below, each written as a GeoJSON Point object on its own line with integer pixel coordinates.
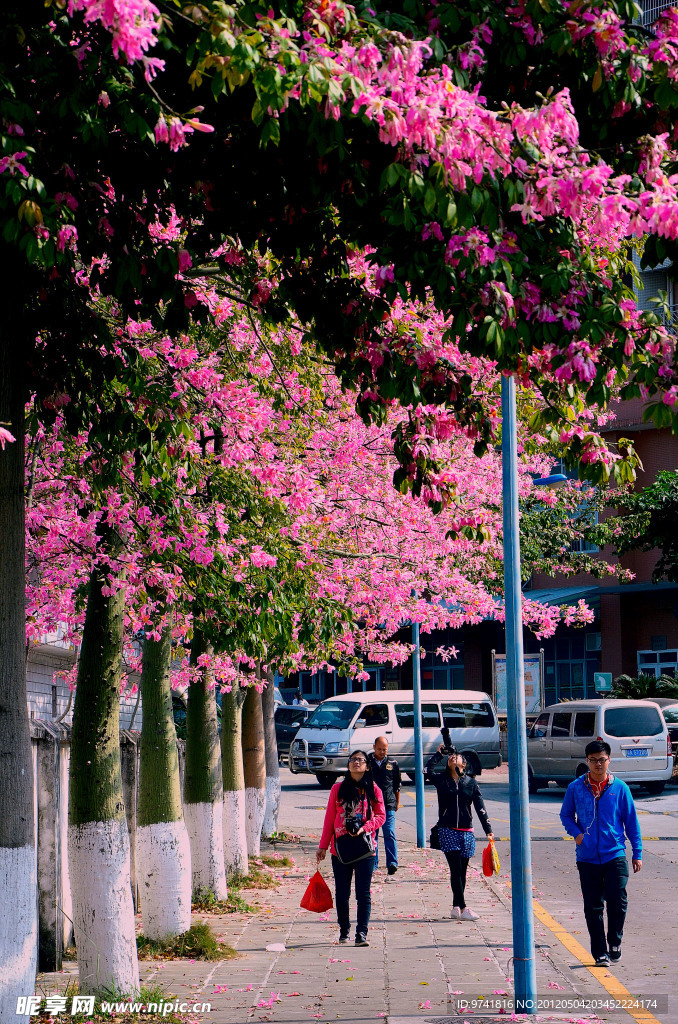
{"type": "Point", "coordinates": [103, 910]}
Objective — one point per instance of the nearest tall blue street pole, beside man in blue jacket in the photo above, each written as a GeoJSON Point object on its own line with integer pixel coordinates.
{"type": "Point", "coordinates": [522, 900]}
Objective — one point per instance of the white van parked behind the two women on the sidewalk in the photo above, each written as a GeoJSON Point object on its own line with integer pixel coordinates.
{"type": "Point", "coordinates": [354, 721]}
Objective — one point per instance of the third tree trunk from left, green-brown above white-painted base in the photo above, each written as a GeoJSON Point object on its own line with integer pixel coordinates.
{"type": "Point", "coordinates": [163, 847]}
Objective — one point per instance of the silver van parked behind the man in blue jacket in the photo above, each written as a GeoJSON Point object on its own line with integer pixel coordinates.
{"type": "Point", "coordinates": [635, 731]}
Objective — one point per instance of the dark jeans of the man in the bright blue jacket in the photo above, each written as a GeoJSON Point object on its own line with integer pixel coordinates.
{"type": "Point", "coordinates": [605, 883]}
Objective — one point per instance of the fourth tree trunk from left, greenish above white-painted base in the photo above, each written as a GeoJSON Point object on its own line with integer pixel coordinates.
{"type": "Point", "coordinates": [203, 792]}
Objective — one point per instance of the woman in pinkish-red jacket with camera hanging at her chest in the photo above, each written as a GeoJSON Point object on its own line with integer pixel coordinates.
{"type": "Point", "coordinates": [355, 812]}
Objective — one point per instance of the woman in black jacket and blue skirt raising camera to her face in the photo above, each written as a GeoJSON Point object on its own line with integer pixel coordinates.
{"type": "Point", "coordinates": [457, 794]}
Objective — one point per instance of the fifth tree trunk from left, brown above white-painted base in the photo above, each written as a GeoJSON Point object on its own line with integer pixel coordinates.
{"type": "Point", "coordinates": [235, 818]}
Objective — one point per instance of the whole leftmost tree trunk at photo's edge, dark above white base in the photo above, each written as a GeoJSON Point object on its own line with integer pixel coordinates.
{"type": "Point", "coordinates": [19, 923]}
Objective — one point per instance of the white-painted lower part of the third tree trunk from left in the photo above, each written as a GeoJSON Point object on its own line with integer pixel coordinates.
{"type": "Point", "coordinates": [163, 871]}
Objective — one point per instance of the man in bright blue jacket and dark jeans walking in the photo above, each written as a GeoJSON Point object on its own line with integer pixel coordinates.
{"type": "Point", "coordinates": [598, 812]}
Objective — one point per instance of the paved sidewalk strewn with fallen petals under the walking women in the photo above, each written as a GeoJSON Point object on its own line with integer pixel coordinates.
{"type": "Point", "coordinates": [418, 965]}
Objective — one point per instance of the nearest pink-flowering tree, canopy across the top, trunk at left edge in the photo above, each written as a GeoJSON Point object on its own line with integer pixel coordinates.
{"type": "Point", "coordinates": [395, 140]}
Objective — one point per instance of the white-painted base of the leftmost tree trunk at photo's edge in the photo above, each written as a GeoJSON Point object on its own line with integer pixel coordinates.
{"type": "Point", "coordinates": [19, 928]}
